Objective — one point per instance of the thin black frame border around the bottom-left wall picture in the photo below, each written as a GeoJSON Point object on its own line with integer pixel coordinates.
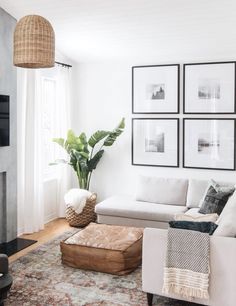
{"type": "Point", "coordinates": [177, 142]}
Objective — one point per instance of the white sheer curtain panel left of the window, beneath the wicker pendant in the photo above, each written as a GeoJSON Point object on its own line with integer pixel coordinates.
{"type": "Point", "coordinates": [30, 179]}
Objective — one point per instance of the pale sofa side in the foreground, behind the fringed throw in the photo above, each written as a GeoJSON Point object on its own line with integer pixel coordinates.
{"type": "Point", "coordinates": [222, 267]}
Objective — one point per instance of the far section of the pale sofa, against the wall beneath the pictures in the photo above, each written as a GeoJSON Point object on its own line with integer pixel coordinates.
{"type": "Point", "coordinates": [156, 203]}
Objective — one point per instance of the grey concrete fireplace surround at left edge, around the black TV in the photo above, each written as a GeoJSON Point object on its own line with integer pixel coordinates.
{"type": "Point", "coordinates": [8, 155]}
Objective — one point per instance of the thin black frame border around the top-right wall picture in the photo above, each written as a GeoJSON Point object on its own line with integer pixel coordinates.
{"type": "Point", "coordinates": [184, 88]}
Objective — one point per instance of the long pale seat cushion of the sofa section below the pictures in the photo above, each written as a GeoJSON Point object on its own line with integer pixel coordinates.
{"type": "Point", "coordinates": [124, 206]}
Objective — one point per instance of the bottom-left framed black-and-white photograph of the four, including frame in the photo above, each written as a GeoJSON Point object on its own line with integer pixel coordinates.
{"type": "Point", "coordinates": [155, 142]}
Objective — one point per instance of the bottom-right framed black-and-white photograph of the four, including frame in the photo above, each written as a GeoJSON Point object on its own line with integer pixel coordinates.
{"type": "Point", "coordinates": [209, 143]}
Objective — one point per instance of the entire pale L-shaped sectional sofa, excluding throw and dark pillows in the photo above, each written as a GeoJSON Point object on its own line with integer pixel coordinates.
{"type": "Point", "coordinates": [157, 201]}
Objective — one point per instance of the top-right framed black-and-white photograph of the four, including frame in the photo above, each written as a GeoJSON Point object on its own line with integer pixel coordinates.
{"type": "Point", "coordinates": [209, 88]}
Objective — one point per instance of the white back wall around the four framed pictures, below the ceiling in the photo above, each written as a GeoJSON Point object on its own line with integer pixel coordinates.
{"type": "Point", "coordinates": [104, 97]}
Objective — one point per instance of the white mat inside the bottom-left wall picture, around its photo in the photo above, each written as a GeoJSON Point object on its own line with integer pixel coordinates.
{"type": "Point", "coordinates": [144, 128]}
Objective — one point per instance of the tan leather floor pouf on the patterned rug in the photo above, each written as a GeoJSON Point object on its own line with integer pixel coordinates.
{"type": "Point", "coordinates": [104, 248]}
